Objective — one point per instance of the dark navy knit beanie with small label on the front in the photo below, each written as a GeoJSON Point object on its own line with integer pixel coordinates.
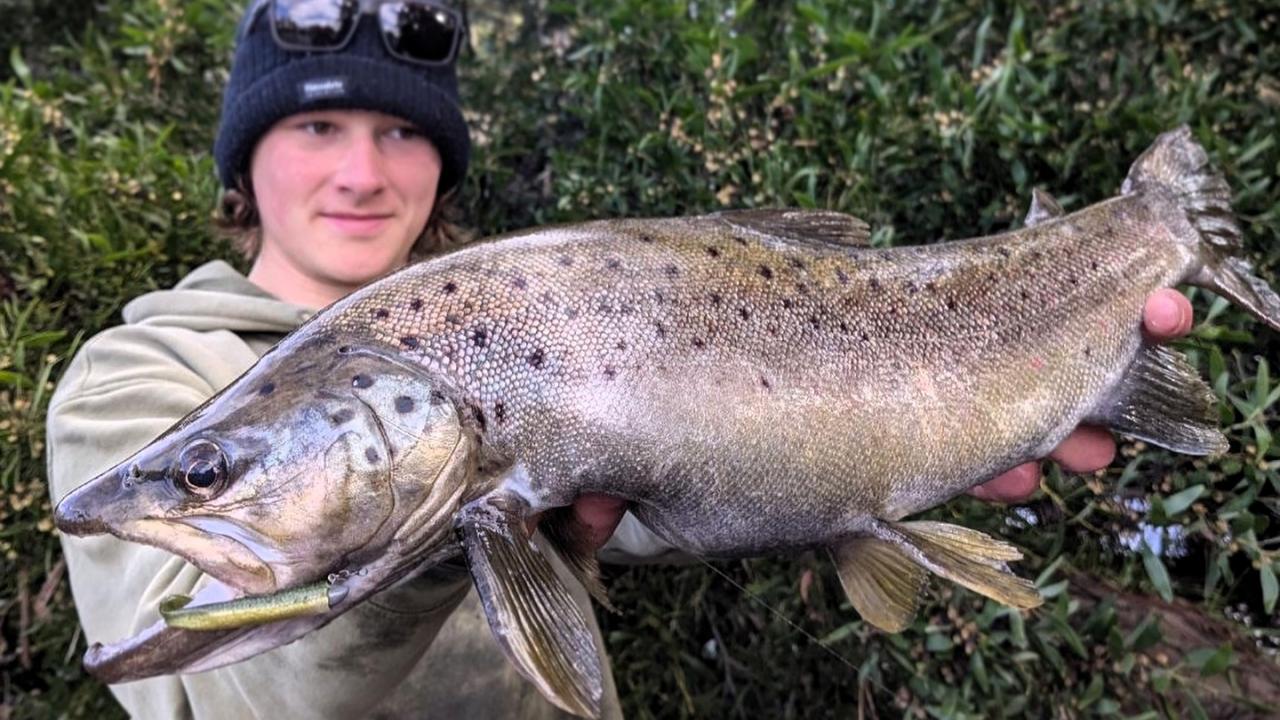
{"type": "Point", "coordinates": [269, 84]}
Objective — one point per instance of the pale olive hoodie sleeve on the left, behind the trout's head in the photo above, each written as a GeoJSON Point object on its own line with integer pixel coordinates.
{"type": "Point", "coordinates": [126, 388]}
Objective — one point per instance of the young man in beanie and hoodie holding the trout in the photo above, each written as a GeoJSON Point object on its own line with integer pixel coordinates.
{"type": "Point", "coordinates": [335, 161]}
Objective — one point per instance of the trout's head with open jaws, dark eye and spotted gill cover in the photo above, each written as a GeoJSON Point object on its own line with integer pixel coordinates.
{"type": "Point", "coordinates": [324, 459]}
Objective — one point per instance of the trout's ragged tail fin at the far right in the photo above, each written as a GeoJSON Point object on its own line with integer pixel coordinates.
{"type": "Point", "coordinates": [1178, 166]}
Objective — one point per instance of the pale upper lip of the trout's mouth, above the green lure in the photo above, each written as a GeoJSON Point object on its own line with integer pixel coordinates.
{"type": "Point", "coordinates": [221, 549]}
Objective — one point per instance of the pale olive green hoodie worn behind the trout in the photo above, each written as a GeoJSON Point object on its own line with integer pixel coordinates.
{"type": "Point", "coordinates": [419, 650]}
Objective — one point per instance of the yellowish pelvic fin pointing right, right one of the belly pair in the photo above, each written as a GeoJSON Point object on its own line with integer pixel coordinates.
{"type": "Point", "coordinates": [972, 559]}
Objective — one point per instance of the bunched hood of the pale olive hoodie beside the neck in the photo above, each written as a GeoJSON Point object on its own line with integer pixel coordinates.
{"type": "Point", "coordinates": [217, 298]}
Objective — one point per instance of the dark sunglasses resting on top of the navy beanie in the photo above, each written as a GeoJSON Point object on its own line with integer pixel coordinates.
{"type": "Point", "coordinates": [415, 31]}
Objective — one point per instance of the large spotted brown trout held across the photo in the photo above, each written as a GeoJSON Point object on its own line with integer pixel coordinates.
{"type": "Point", "coordinates": [751, 382]}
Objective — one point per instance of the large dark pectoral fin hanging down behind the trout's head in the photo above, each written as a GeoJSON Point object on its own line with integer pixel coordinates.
{"type": "Point", "coordinates": [531, 613]}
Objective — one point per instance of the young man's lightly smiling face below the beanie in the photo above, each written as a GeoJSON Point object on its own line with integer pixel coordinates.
{"type": "Point", "coordinates": [342, 195]}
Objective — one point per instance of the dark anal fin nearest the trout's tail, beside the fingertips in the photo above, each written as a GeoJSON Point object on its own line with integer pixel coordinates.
{"type": "Point", "coordinates": [1164, 402]}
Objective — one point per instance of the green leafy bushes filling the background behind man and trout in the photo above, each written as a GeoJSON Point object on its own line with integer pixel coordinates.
{"type": "Point", "coordinates": [931, 121]}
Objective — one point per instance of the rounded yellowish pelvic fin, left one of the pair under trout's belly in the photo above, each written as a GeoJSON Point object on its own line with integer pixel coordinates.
{"type": "Point", "coordinates": [883, 582]}
